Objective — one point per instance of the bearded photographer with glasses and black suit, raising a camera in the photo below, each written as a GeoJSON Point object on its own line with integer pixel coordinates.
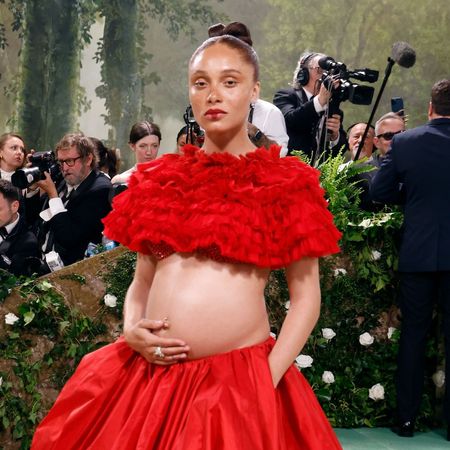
{"type": "Point", "coordinates": [70, 214]}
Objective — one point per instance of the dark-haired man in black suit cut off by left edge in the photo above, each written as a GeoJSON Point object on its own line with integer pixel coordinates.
{"type": "Point", "coordinates": [19, 248]}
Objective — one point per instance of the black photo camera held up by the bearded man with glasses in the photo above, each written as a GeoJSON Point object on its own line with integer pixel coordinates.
{"type": "Point", "coordinates": [40, 162]}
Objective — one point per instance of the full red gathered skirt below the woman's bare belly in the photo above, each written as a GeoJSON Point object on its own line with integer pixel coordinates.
{"type": "Point", "coordinates": [116, 400]}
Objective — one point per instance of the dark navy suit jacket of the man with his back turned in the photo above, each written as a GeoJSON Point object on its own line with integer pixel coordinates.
{"type": "Point", "coordinates": [419, 161]}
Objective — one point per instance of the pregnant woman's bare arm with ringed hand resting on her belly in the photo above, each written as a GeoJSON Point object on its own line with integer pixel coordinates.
{"type": "Point", "coordinates": [137, 329]}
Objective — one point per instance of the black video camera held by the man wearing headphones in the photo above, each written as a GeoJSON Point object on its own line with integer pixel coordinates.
{"type": "Point", "coordinates": [356, 93]}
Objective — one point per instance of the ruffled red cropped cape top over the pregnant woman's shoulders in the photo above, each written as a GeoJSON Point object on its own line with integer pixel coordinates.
{"type": "Point", "coordinates": [256, 208]}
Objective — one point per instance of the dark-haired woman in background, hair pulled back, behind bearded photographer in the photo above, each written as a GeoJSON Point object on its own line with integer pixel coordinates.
{"type": "Point", "coordinates": [145, 139]}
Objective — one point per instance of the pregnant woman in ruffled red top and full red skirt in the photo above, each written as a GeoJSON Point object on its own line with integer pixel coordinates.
{"type": "Point", "coordinates": [208, 225]}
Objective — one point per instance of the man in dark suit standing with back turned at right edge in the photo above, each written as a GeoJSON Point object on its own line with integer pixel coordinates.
{"type": "Point", "coordinates": [419, 160]}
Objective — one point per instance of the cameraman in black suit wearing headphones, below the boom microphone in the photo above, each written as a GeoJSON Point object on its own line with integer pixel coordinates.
{"type": "Point", "coordinates": [304, 108]}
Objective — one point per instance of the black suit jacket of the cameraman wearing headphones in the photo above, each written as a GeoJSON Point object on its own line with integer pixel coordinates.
{"type": "Point", "coordinates": [302, 120]}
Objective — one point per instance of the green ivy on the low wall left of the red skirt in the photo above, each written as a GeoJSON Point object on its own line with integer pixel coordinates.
{"type": "Point", "coordinates": [45, 344]}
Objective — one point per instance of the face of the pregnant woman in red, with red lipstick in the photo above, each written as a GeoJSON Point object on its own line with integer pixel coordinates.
{"type": "Point", "coordinates": [221, 88]}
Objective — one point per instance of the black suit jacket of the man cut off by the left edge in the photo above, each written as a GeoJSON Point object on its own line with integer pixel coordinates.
{"type": "Point", "coordinates": [21, 250]}
